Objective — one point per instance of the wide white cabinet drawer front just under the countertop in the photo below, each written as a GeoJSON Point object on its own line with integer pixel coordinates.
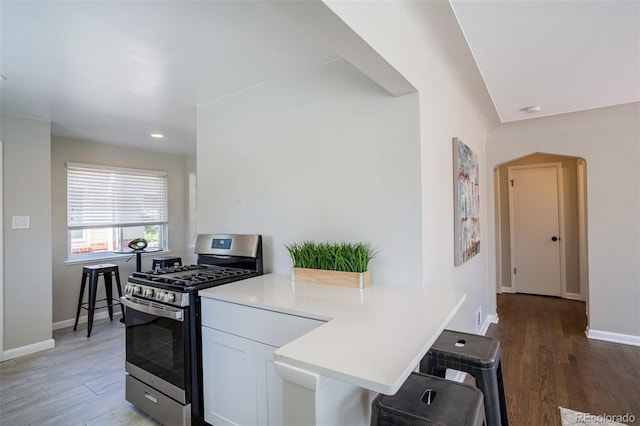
{"type": "Point", "coordinates": [269, 327]}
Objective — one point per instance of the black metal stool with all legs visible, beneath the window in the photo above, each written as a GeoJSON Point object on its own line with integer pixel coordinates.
{"type": "Point", "coordinates": [93, 272]}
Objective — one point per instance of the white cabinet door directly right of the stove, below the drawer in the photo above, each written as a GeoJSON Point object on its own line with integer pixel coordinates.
{"type": "Point", "coordinates": [229, 379]}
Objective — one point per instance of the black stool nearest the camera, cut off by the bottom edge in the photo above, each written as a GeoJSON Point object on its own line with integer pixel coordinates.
{"type": "Point", "coordinates": [425, 400]}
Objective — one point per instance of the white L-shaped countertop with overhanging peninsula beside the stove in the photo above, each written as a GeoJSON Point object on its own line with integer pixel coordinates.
{"type": "Point", "coordinates": [374, 338]}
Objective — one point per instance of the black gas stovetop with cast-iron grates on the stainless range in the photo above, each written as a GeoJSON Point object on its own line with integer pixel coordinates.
{"type": "Point", "coordinates": [190, 277]}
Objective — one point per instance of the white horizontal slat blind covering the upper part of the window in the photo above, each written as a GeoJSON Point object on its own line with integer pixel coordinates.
{"type": "Point", "coordinates": [100, 196]}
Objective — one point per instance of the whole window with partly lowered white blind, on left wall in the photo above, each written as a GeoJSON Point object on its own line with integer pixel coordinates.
{"type": "Point", "coordinates": [107, 207]}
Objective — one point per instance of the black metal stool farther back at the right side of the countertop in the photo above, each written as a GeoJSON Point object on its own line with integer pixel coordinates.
{"type": "Point", "coordinates": [476, 355]}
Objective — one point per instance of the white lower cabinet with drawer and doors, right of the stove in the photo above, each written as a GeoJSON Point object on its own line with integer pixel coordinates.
{"type": "Point", "coordinates": [240, 383]}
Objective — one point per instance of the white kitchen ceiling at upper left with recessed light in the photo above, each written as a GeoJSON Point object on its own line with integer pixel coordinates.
{"type": "Point", "coordinates": [116, 71]}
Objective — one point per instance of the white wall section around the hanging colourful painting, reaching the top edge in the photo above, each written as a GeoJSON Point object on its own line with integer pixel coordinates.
{"type": "Point", "coordinates": [422, 40]}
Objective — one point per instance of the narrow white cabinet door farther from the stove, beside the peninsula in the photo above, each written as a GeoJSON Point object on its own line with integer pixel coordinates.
{"type": "Point", "coordinates": [269, 387]}
